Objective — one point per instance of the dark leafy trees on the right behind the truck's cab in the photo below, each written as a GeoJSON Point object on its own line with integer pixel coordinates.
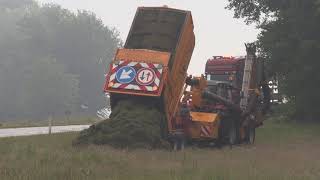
{"type": "Point", "coordinates": [290, 43]}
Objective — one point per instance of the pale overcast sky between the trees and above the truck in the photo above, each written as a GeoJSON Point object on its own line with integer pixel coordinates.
{"type": "Point", "coordinates": [216, 31]}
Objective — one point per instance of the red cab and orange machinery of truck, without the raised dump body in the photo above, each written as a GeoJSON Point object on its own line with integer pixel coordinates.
{"type": "Point", "coordinates": [227, 103]}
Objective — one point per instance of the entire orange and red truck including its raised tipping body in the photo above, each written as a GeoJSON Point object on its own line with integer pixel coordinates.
{"type": "Point", "coordinates": [152, 66]}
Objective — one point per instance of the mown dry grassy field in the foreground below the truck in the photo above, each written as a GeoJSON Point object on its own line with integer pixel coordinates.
{"type": "Point", "coordinates": [283, 151]}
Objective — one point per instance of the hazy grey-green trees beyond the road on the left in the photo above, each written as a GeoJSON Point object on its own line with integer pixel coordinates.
{"type": "Point", "coordinates": [52, 61]}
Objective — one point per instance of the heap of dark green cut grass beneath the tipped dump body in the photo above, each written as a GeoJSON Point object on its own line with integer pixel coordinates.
{"type": "Point", "coordinates": [132, 124]}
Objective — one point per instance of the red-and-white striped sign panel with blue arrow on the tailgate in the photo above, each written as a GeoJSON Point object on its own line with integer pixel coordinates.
{"type": "Point", "coordinates": [136, 76]}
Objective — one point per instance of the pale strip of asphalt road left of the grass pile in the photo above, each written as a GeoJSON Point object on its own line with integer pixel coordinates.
{"type": "Point", "coordinates": [11, 132]}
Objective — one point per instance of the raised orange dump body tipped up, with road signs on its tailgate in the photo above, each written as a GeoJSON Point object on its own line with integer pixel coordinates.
{"type": "Point", "coordinates": [154, 60]}
